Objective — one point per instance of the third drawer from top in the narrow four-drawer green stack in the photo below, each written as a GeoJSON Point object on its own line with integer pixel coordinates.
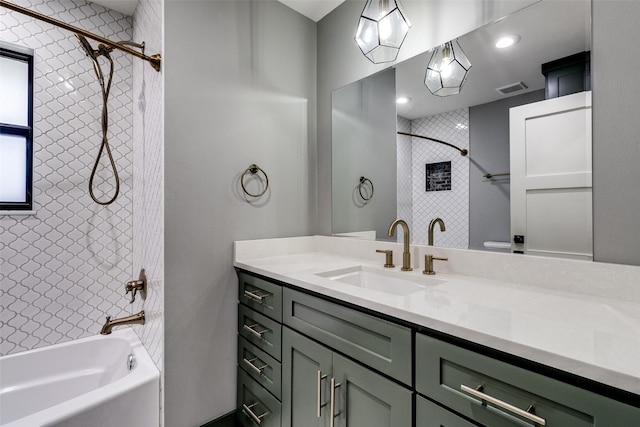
{"type": "Point", "coordinates": [260, 366]}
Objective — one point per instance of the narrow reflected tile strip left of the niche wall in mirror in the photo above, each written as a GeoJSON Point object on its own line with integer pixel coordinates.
{"type": "Point", "coordinates": [405, 175]}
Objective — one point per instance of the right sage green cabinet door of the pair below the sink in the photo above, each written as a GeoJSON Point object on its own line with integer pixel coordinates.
{"type": "Point", "coordinates": [367, 399]}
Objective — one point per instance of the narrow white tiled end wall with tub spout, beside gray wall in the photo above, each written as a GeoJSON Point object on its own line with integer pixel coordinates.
{"type": "Point", "coordinates": [148, 199]}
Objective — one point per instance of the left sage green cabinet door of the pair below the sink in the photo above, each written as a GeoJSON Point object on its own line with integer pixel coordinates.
{"type": "Point", "coordinates": [306, 372]}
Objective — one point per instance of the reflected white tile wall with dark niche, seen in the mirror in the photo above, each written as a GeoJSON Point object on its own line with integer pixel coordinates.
{"type": "Point", "coordinates": [452, 206]}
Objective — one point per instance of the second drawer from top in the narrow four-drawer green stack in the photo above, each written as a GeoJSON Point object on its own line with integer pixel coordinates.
{"type": "Point", "coordinates": [259, 330]}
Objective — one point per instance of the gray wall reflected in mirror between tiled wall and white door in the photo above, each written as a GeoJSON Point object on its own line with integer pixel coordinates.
{"type": "Point", "coordinates": [489, 203]}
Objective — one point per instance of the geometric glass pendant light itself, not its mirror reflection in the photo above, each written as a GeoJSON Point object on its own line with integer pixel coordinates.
{"type": "Point", "coordinates": [382, 28]}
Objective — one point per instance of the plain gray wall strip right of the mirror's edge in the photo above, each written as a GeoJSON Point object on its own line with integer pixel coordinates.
{"type": "Point", "coordinates": [616, 131]}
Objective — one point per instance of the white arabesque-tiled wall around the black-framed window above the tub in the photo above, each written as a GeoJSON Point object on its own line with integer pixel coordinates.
{"type": "Point", "coordinates": [62, 270]}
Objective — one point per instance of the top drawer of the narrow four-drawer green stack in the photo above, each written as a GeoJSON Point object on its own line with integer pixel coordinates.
{"type": "Point", "coordinates": [261, 295]}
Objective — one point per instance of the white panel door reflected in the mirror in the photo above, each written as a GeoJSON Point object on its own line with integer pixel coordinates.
{"type": "Point", "coordinates": [550, 148]}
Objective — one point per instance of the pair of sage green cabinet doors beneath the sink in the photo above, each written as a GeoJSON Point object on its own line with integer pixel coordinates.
{"type": "Point", "coordinates": [360, 397]}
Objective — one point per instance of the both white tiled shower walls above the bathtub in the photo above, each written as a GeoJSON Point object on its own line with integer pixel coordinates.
{"type": "Point", "coordinates": [62, 268]}
